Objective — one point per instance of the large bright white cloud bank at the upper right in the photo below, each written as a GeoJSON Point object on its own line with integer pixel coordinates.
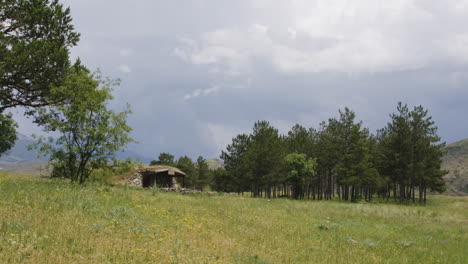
{"type": "Point", "coordinates": [340, 36]}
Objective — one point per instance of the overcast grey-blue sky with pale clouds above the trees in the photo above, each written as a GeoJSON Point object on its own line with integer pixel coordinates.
{"type": "Point", "coordinates": [198, 72]}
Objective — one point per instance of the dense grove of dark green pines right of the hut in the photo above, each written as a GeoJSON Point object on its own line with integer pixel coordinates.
{"type": "Point", "coordinates": [339, 160]}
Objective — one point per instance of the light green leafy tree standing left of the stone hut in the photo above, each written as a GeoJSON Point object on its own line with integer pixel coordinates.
{"type": "Point", "coordinates": [88, 132]}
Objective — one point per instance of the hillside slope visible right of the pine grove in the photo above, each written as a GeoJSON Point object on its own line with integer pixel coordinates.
{"type": "Point", "coordinates": [456, 161]}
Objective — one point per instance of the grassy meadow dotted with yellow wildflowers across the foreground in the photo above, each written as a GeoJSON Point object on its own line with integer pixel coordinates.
{"type": "Point", "coordinates": [52, 221]}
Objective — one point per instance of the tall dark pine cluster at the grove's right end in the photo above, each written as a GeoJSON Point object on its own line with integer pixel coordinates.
{"type": "Point", "coordinates": [411, 156]}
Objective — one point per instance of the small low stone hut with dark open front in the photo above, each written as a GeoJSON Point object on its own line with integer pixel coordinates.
{"type": "Point", "coordinates": [158, 175]}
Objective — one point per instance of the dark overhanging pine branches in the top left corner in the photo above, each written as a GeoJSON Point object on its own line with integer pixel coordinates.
{"type": "Point", "coordinates": [35, 38]}
